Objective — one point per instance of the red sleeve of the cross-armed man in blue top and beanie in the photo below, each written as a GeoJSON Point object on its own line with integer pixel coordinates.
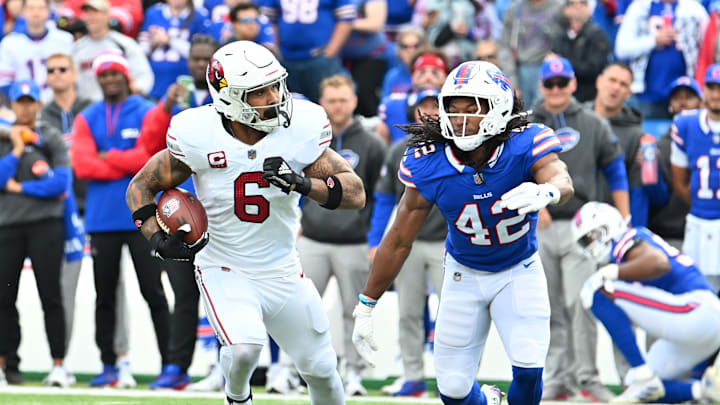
{"type": "Point", "coordinates": [85, 161]}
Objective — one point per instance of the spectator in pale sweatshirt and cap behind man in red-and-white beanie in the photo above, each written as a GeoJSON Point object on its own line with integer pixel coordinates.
{"type": "Point", "coordinates": [99, 39]}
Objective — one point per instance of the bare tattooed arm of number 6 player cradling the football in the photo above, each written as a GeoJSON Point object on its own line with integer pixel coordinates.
{"type": "Point", "coordinates": [161, 172]}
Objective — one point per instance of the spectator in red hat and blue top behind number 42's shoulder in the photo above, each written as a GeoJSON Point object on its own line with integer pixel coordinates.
{"type": "Point", "coordinates": [429, 69]}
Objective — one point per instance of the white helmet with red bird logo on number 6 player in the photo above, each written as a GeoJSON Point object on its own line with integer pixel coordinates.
{"type": "Point", "coordinates": [239, 68]}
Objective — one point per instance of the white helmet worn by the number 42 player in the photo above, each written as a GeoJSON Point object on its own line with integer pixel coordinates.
{"type": "Point", "coordinates": [478, 80]}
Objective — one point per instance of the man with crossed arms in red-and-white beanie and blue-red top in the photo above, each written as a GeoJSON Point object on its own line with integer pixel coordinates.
{"type": "Point", "coordinates": [110, 125]}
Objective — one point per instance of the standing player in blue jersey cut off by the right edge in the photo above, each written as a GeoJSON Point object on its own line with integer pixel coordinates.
{"type": "Point", "coordinates": [695, 159]}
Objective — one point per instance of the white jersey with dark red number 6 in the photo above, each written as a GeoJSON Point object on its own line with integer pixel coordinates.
{"type": "Point", "coordinates": [252, 224]}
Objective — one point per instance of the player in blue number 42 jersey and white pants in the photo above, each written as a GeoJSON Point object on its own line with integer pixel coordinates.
{"type": "Point", "coordinates": [489, 171]}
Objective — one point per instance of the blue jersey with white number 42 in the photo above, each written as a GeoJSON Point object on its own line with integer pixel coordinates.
{"type": "Point", "coordinates": [481, 234]}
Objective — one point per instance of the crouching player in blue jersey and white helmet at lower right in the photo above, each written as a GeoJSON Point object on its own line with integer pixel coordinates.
{"type": "Point", "coordinates": [645, 282]}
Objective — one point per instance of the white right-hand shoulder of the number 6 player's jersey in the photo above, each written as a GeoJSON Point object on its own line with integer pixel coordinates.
{"type": "Point", "coordinates": [310, 122]}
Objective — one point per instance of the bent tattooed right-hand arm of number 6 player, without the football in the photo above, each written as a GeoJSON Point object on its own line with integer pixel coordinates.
{"type": "Point", "coordinates": [331, 164]}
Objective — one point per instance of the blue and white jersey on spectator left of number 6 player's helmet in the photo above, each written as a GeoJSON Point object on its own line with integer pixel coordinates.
{"type": "Point", "coordinates": [170, 61]}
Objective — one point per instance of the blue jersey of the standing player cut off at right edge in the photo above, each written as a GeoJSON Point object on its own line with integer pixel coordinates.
{"type": "Point", "coordinates": [691, 134]}
